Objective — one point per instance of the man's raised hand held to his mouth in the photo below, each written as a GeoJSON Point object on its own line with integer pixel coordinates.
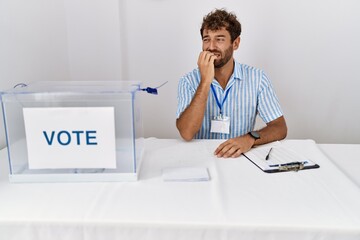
{"type": "Point", "coordinates": [206, 66]}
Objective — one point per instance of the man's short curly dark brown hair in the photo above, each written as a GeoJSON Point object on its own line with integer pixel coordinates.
{"type": "Point", "coordinates": [220, 18]}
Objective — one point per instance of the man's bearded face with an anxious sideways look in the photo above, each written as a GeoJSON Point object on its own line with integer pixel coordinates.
{"type": "Point", "coordinates": [219, 43]}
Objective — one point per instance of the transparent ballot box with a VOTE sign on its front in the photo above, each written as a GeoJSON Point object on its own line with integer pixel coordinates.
{"type": "Point", "coordinates": [71, 131]}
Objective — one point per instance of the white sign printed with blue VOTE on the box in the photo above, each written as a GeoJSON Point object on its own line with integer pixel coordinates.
{"type": "Point", "coordinates": [74, 137]}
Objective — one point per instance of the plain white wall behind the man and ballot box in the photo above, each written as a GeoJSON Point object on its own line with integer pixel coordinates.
{"type": "Point", "coordinates": [309, 49]}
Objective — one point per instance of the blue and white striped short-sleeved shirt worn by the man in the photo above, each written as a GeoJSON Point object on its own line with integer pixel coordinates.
{"type": "Point", "coordinates": [250, 94]}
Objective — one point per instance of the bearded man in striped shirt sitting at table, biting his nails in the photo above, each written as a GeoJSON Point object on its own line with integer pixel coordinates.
{"type": "Point", "coordinates": [221, 98]}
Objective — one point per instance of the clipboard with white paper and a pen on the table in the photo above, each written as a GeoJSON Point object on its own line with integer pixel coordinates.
{"type": "Point", "coordinates": [278, 158]}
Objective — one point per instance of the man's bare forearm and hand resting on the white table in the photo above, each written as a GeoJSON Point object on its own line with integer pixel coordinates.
{"type": "Point", "coordinates": [234, 147]}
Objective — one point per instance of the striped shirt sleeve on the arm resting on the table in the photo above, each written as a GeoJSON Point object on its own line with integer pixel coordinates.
{"type": "Point", "coordinates": [268, 103]}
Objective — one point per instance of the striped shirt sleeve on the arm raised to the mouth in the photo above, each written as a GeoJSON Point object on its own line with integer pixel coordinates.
{"type": "Point", "coordinates": [185, 95]}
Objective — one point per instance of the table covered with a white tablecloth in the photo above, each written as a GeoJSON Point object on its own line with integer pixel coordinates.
{"type": "Point", "coordinates": [240, 201]}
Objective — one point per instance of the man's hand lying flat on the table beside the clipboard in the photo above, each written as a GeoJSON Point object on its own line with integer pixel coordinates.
{"type": "Point", "coordinates": [234, 147]}
